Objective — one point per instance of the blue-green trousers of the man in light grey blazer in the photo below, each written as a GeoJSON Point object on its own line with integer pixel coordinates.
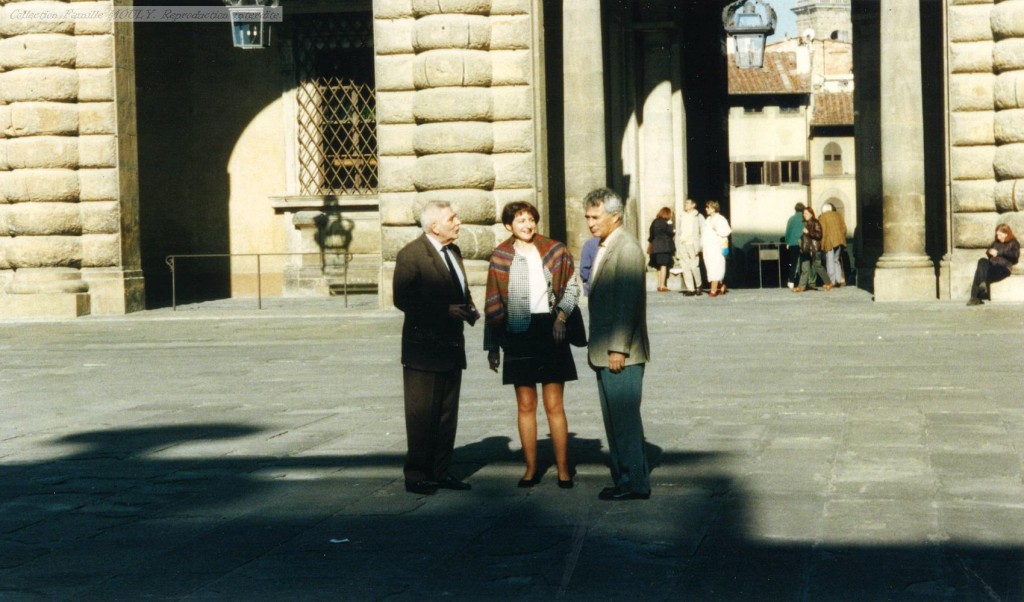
{"type": "Point", "coordinates": [621, 395]}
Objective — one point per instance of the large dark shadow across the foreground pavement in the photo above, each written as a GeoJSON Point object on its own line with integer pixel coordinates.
{"type": "Point", "coordinates": [173, 512]}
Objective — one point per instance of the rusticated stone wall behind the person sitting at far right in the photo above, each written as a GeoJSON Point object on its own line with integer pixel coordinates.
{"type": "Point", "coordinates": [987, 127]}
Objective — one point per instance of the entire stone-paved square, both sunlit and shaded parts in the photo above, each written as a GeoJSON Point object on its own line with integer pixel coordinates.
{"type": "Point", "coordinates": [818, 447]}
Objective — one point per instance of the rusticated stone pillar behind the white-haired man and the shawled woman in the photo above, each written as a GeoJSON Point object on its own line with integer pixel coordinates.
{"type": "Point", "coordinates": [455, 118]}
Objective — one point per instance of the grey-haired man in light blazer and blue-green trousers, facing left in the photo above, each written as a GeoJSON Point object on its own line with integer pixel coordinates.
{"type": "Point", "coordinates": [619, 345]}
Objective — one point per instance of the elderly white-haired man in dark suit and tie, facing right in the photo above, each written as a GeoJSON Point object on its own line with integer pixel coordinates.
{"type": "Point", "coordinates": [431, 288]}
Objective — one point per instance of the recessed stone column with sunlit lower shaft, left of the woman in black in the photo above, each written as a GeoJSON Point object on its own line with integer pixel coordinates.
{"type": "Point", "coordinates": [659, 155]}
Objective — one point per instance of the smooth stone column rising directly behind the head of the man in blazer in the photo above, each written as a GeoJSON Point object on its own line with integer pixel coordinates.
{"type": "Point", "coordinates": [583, 65]}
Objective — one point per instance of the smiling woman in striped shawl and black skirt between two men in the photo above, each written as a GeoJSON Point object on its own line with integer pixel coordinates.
{"type": "Point", "coordinates": [532, 291]}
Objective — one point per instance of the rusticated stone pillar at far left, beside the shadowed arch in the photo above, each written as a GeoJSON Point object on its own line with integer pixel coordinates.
{"type": "Point", "coordinates": [68, 187]}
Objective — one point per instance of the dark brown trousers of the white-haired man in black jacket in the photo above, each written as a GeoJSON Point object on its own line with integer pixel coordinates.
{"type": "Point", "coordinates": [432, 419]}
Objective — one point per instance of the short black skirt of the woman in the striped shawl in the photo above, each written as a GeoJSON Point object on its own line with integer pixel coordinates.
{"type": "Point", "coordinates": [533, 357]}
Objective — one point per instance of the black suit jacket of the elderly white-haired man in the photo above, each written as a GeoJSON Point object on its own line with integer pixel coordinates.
{"type": "Point", "coordinates": [431, 339]}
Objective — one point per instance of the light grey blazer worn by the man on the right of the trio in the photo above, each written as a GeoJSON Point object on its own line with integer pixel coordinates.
{"type": "Point", "coordinates": [619, 304]}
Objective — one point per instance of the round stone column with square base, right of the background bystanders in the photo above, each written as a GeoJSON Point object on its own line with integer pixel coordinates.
{"type": "Point", "coordinates": [905, 273]}
